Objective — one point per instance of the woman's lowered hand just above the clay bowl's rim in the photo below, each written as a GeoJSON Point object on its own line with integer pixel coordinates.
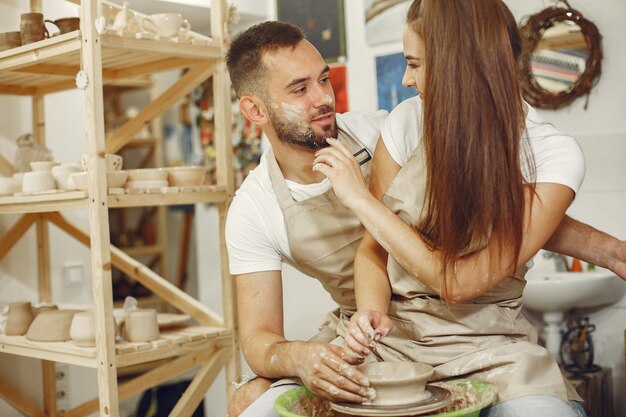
{"type": "Point", "coordinates": [366, 329]}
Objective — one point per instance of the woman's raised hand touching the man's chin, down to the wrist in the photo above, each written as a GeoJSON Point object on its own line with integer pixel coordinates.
{"type": "Point", "coordinates": [344, 173]}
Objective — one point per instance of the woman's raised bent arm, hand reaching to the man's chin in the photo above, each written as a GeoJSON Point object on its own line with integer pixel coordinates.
{"type": "Point", "coordinates": [470, 275]}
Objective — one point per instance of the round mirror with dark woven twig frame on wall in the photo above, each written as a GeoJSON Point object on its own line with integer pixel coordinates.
{"type": "Point", "coordinates": [561, 57]}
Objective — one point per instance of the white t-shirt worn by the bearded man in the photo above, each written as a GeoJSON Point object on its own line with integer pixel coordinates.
{"type": "Point", "coordinates": [255, 230]}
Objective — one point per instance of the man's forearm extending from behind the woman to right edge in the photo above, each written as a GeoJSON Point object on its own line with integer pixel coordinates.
{"type": "Point", "coordinates": [584, 242]}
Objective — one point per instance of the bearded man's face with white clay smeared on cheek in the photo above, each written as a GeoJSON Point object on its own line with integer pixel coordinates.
{"type": "Point", "coordinates": [300, 99]}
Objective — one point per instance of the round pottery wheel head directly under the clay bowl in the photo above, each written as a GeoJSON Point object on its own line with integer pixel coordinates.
{"type": "Point", "coordinates": [439, 398]}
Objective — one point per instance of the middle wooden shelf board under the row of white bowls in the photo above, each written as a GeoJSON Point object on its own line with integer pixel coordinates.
{"type": "Point", "coordinates": [72, 200]}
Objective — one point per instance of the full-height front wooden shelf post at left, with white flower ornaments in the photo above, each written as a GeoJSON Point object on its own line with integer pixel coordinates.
{"type": "Point", "coordinates": [99, 213]}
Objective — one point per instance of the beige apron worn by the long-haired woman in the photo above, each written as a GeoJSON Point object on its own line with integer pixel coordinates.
{"type": "Point", "coordinates": [486, 339]}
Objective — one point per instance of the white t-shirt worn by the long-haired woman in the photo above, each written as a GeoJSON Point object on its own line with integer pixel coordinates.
{"type": "Point", "coordinates": [558, 157]}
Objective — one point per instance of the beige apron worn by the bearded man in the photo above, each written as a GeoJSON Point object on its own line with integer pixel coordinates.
{"type": "Point", "coordinates": [323, 238]}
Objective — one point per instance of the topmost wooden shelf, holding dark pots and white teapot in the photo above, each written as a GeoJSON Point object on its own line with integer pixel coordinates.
{"type": "Point", "coordinates": [52, 64]}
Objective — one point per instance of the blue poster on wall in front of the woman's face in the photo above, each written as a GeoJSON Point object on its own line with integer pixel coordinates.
{"type": "Point", "coordinates": [389, 71]}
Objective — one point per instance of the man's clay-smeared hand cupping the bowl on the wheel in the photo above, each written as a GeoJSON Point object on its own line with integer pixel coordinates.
{"type": "Point", "coordinates": [324, 371]}
